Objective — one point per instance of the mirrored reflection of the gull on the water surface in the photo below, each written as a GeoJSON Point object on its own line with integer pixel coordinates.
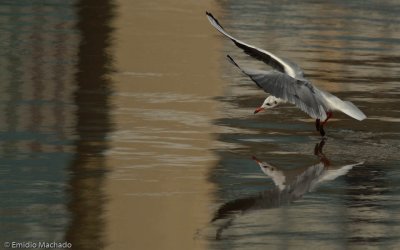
{"type": "Point", "coordinates": [291, 185]}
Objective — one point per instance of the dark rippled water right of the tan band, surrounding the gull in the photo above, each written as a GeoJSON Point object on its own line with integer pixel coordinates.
{"type": "Point", "coordinates": [352, 50]}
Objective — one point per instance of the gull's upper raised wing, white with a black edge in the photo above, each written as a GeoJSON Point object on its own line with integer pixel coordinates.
{"type": "Point", "coordinates": [277, 63]}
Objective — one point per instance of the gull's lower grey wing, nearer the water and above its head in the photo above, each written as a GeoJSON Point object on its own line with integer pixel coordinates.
{"type": "Point", "coordinates": [298, 92]}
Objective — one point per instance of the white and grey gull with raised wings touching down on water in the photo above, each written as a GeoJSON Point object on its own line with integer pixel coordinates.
{"type": "Point", "coordinates": [286, 84]}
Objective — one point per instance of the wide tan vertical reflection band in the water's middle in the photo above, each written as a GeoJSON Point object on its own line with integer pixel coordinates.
{"type": "Point", "coordinates": [160, 154]}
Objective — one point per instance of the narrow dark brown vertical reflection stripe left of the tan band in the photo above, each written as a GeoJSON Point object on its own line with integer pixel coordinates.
{"type": "Point", "coordinates": [88, 168]}
